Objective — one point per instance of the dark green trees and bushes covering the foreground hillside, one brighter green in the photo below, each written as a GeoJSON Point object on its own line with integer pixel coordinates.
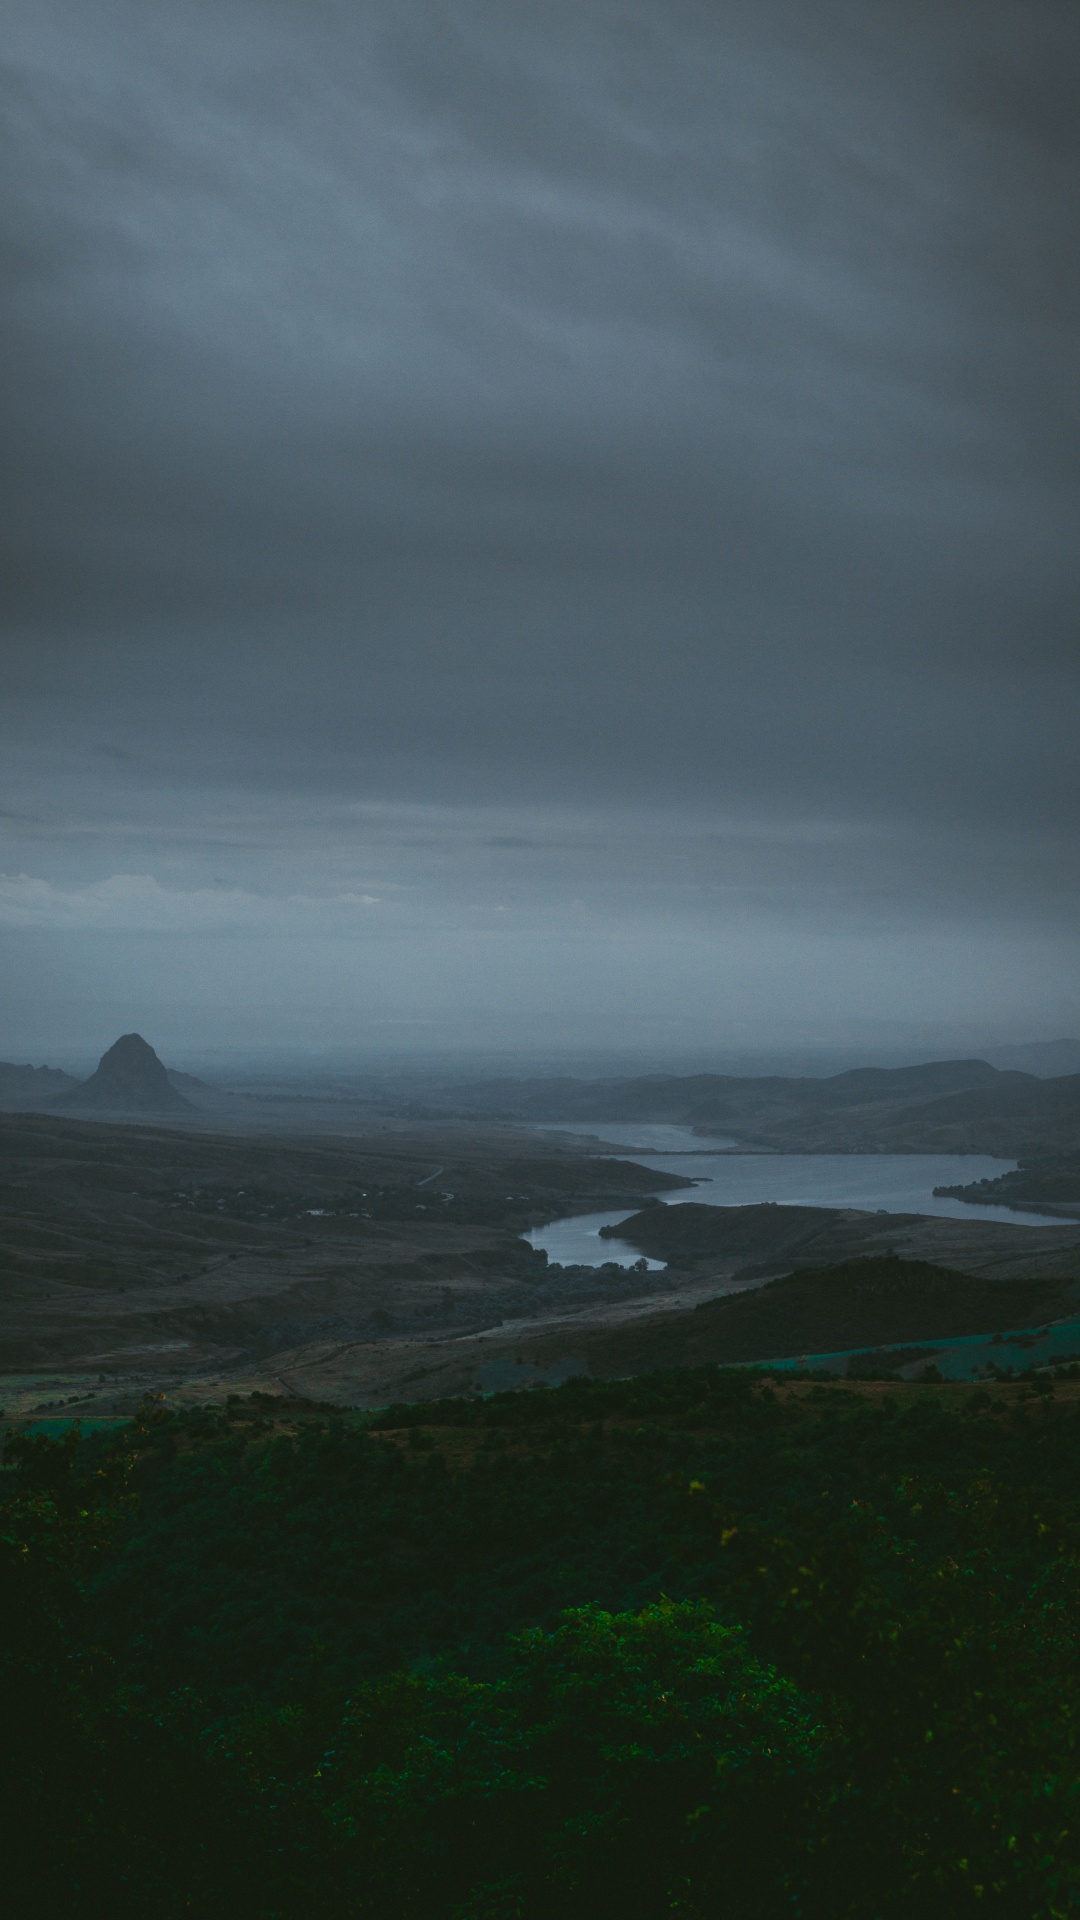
{"type": "Point", "coordinates": [691, 1644]}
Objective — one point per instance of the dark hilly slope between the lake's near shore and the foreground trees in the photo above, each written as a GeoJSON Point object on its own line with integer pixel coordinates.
{"type": "Point", "coordinates": [616, 1324]}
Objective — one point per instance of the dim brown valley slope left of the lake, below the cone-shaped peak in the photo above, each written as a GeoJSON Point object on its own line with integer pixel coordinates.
{"type": "Point", "coordinates": [143, 1249]}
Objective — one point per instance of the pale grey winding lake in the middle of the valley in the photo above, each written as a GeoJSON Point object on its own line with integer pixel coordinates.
{"type": "Point", "coordinates": [887, 1184]}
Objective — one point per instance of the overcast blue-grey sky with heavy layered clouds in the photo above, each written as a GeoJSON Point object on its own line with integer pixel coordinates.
{"type": "Point", "coordinates": [539, 525]}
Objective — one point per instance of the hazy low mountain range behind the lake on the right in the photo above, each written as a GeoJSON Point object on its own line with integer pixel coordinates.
{"type": "Point", "coordinates": [964, 1107]}
